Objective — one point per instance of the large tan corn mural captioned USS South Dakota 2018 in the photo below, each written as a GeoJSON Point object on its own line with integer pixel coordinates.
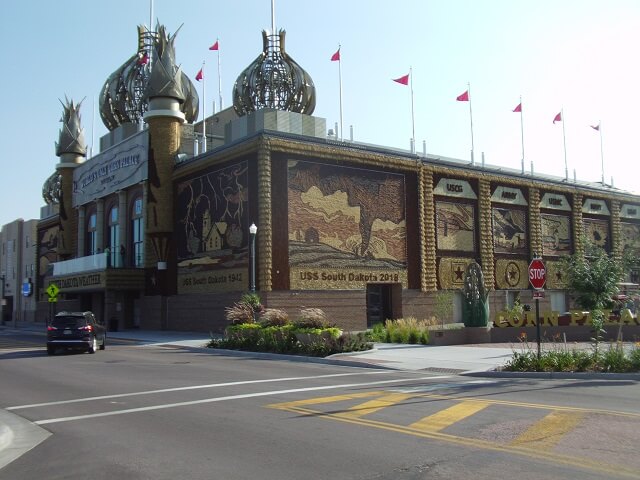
{"type": "Point", "coordinates": [347, 226]}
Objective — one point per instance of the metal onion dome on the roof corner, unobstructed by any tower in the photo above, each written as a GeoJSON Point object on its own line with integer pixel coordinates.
{"type": "Point", "coordinates": [274, 80]}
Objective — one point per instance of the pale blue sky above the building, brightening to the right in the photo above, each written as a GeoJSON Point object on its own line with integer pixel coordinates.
{"type": "Point", "coordinates": [580, 56]}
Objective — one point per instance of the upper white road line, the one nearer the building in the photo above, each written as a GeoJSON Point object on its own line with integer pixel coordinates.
{"type": "Point", "coordinates": [195, 387]}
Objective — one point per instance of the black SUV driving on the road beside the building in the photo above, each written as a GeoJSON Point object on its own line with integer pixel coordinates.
{"type": "Point", "coordinates": [78, 330]}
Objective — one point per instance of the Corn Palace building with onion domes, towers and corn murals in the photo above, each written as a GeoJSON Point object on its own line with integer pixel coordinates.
{"type": "Point", "coordinates": [155, 231]}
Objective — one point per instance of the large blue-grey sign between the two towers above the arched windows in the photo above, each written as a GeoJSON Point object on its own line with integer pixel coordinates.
{"type": "Point", "coordinates": [115, 169]}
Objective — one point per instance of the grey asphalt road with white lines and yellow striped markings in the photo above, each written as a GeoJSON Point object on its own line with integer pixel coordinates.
{"type": "Point", "coordinates": [148, 412]}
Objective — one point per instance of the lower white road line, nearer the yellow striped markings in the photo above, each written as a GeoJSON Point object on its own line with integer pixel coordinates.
{"type": "Point", "coordinates": [230, 397]}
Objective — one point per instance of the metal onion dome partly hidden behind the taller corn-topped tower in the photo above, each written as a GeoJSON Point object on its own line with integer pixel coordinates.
{"type": "Point", "coordinates": [124, 98]}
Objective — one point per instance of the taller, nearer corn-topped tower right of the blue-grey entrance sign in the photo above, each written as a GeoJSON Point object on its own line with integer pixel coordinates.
{"type": "Point", "coordinates": [164, 117]}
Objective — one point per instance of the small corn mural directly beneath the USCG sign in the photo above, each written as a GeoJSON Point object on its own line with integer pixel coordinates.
{"type": "Point", "coordinates": [455, 226]}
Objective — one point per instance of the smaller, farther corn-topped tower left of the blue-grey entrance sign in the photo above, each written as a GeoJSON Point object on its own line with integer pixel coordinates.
{"type": "Point", "coordinates": [72, 150]}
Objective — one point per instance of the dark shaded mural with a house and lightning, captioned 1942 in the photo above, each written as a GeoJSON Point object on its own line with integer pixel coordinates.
{"type": "Point", "coordinates": [212, 231]}
